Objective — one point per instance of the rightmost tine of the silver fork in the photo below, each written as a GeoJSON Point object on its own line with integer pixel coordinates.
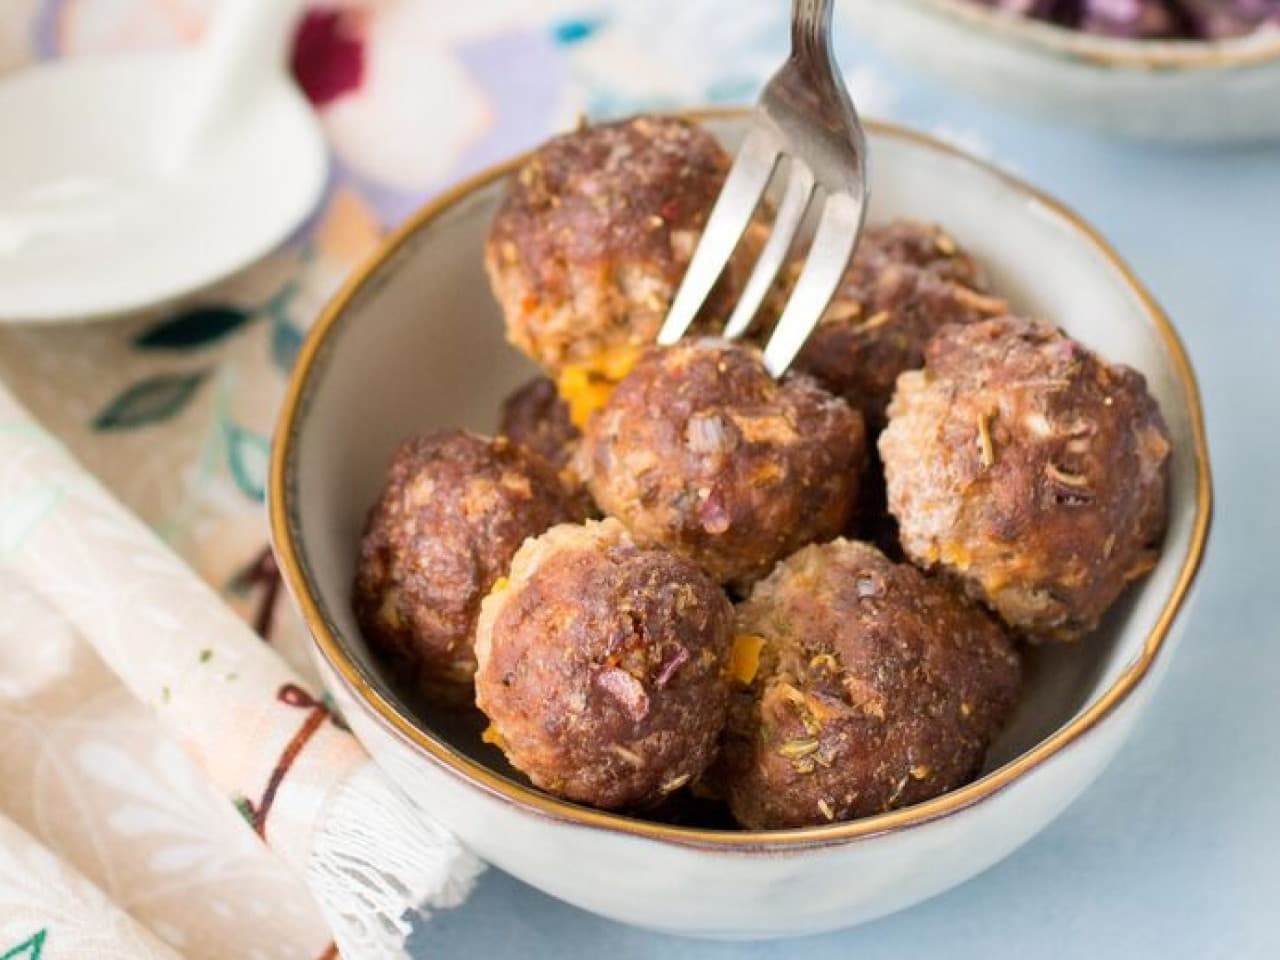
{"type": "Point", "coordinates": [829, 258]}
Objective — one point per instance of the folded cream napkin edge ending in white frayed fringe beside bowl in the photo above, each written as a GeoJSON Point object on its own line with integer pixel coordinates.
{"type": "Point", "coordinates": [275, 749]}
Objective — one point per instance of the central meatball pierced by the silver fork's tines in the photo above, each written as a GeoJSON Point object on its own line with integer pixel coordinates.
{"type": "Point", "coordinates": [702, 451]}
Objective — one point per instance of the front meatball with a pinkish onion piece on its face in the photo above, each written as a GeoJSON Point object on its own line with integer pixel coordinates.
{"type": "Point", "coordinates": [604, 666]}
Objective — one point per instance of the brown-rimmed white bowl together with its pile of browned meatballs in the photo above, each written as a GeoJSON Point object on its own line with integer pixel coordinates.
{"type": "Point", "coordinates": [711, 652]}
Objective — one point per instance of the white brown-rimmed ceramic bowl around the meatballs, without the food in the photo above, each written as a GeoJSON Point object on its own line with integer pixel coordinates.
{"type": "Point", "coordinates": [415, 342]}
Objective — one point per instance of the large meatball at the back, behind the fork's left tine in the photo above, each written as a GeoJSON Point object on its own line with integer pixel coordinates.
{"type": "Point", "coordinates": [596, 234]}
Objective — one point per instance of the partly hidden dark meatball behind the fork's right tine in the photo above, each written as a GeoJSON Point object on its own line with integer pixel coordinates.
{"type": "Point", "coordinates": [906, 282]}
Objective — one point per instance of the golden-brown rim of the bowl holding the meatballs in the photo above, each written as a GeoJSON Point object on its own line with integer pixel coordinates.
{"type": "Point", "coordinates": [294, 568]}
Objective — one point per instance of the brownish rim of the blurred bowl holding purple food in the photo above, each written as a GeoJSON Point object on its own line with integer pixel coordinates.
{"type": "Point", "coordinates": [1259, 48]}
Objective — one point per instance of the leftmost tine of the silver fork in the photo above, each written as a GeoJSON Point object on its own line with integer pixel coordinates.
{"type": "Point", "coordinates": [751, 175]}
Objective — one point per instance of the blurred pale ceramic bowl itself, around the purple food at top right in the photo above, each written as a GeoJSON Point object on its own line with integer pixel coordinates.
{"type": "Point", "coordinates": [1206, 92]}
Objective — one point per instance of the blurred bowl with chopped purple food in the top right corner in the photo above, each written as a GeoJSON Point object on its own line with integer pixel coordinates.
{"type": "Point", "coordinates": [1182, 71]}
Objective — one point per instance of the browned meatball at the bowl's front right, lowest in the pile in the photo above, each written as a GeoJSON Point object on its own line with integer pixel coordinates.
{"type": "Point", "coordinates": [863, 687]}
